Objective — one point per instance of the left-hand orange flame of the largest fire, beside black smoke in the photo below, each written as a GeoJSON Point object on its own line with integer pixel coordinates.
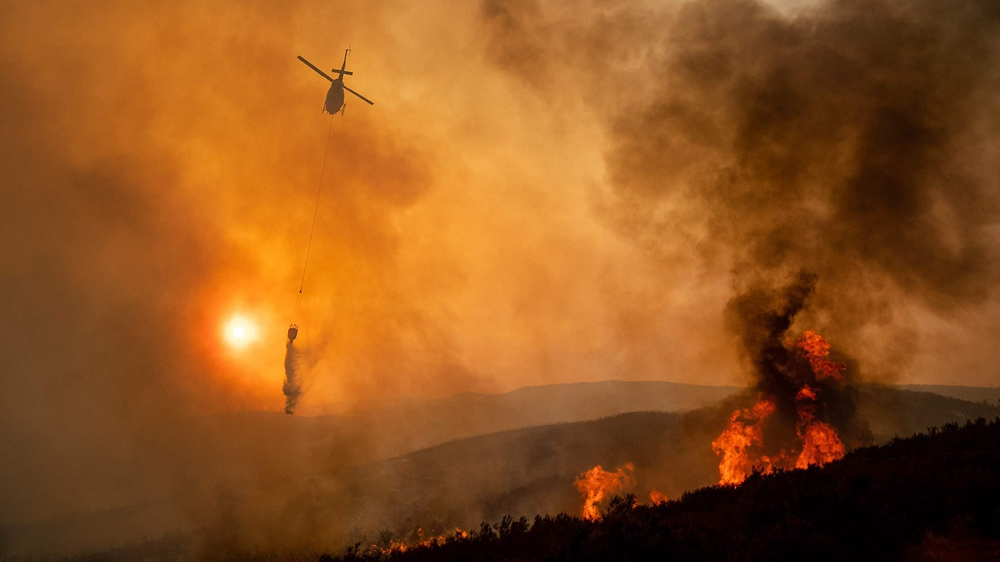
{"type": "Point", "coordinates": [745, 430]}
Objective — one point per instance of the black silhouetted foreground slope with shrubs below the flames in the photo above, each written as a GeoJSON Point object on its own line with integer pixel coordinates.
{"type": "Point", "coordinates": [929, 497]}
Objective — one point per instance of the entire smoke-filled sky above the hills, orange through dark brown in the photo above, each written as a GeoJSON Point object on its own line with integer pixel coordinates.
{"type": "Point", "coordinates": [543, 192]}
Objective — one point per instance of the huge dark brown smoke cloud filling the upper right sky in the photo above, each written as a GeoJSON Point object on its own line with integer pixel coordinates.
{"type": "Point", "coordinates": [844, 139]}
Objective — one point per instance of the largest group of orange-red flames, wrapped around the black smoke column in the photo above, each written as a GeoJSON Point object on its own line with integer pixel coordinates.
{"type": "Point", "coordinates": [818, 440]}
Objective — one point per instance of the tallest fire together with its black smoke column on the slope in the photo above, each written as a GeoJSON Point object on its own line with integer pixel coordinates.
{"type": "Point", "coordinates": [804, 399]}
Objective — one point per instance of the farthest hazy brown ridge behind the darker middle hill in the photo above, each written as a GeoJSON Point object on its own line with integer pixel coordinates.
{"type": "Point", "coordinates": [210, 446]}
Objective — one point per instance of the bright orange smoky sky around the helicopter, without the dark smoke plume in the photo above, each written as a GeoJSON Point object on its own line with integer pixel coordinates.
{"type": "Point", "coordinates": [165, 165]}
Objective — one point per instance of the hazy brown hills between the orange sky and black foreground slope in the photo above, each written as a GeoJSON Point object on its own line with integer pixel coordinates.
{"type": "Point", "coordinates": [456, 460]}
